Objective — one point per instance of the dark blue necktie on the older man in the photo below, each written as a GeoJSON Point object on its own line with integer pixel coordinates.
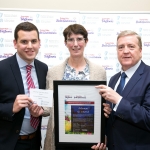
{"type": "Point", "coordinates": [121, 84]}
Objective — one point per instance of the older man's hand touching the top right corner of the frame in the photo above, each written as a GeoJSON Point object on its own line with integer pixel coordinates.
{"type": "Point", "coordinates": [109, 94]}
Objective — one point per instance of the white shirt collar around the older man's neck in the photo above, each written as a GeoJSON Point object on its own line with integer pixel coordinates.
{"type": "Point", "coordinates": [132, 70]}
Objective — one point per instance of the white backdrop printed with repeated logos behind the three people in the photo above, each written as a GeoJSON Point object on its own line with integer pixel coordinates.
{"type": "Point", "coordinates": [102, 27]}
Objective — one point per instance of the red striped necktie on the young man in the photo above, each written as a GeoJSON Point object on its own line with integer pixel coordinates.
{"type": "Point", "coordinates": [34, 121]}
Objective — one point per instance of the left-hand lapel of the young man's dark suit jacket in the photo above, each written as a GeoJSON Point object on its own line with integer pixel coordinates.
{"type": "Point", "coordinates": [16, 72]}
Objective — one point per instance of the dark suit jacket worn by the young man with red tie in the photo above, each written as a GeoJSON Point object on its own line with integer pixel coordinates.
{"type": "Point", "coordinates": [11, 85]}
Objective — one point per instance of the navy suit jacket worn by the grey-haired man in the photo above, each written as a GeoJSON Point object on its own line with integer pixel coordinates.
{"type": "Point", "coordinates": [129, 127]}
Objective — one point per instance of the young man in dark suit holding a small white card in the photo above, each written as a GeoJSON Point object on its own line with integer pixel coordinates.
{"type": "Point", "coordinates": [16, 107]}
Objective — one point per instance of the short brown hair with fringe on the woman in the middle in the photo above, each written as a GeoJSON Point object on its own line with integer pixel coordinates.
{"type": "Point", "coordinates": [76, 29]}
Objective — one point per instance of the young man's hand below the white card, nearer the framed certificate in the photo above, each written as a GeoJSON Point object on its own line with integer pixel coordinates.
{"type": "Point", "coordinates": [36, 110]}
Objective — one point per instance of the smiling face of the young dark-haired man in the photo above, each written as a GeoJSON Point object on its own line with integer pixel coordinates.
{"type": "Point", "coordinates": [27, 45]}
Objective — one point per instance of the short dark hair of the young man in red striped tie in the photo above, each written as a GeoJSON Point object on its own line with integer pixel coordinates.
{"type": "Point", "coordinates": [25, 26]}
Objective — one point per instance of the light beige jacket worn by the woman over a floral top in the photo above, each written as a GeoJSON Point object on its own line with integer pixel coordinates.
{"type": "Point", "coordinates": [56, 73]}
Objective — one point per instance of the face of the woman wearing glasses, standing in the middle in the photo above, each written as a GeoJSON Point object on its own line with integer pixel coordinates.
{"type": "Point", "coordinates": [76, 44]}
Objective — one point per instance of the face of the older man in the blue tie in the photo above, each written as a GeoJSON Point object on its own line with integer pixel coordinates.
{"type": "Point", "coordinates": [128, 51]}
